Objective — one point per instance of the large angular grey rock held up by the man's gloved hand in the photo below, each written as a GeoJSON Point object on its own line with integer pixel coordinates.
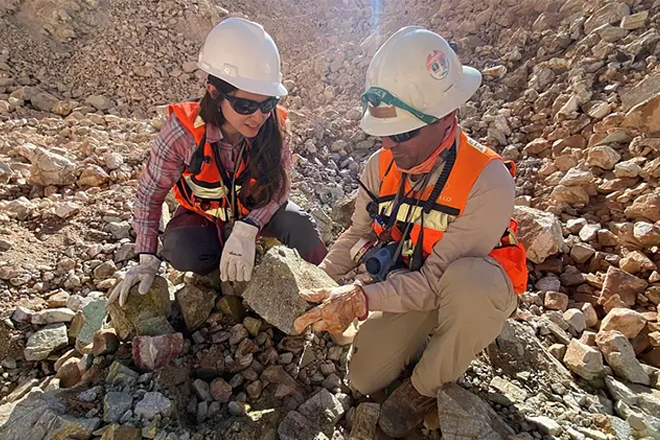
{"type": "Point", "coordinates": [274, 289]}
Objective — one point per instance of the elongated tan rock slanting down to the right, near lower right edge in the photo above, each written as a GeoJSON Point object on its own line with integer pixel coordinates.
{"type": "Point", "coordinates": [620, 355]}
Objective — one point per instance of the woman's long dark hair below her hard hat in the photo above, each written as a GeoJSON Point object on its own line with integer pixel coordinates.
{"type": "Point", "coordinates": [265, 165]}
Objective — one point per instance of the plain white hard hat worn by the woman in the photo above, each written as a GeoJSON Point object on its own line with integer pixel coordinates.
{"type": "Point", "coordinates": [242, 53]}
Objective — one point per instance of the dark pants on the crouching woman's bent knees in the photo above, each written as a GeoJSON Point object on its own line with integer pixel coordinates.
{"type": "Point", "coordinates": [192, 242]}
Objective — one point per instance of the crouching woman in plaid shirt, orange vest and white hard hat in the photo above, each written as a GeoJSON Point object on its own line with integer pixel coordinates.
{"type": "Point", "coordinates": [226, 161]}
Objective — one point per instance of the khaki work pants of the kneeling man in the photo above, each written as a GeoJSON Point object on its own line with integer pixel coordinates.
{"type": "Point", "coordinates": [475, 299]}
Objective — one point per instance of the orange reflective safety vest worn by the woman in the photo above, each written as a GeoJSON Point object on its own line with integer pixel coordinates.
{"type": "Point", "coordinates": [208, 191]}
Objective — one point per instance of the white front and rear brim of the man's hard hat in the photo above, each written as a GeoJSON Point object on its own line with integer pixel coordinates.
{"type": "Point", "coordinates": [453, 99]}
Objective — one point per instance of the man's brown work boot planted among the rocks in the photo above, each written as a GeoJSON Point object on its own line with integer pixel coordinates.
{"type": "Point", "coordinates": [403, 410]}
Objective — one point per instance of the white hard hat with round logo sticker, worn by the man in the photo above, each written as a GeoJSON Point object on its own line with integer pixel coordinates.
{"type": "Point", "coordinates": [420, 69]}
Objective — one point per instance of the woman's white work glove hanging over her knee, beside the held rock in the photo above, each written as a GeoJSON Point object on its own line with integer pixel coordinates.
{"type": "Point", "coordinates": [237, 259]}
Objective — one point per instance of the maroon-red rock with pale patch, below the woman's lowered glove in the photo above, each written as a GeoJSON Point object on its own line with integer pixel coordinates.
{"type": "Point", "coordinates": [153, 352]}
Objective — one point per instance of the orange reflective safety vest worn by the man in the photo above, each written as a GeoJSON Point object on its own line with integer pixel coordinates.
{"type": "Point", "coordinates": [471, 159]}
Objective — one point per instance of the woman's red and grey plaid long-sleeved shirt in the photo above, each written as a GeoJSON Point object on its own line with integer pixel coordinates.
{"type": "Point", "coordinates": [169, 158]}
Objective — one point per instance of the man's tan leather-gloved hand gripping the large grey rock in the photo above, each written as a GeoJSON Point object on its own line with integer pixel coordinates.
{"type": "Point", "coordinates": [339, 308]}
